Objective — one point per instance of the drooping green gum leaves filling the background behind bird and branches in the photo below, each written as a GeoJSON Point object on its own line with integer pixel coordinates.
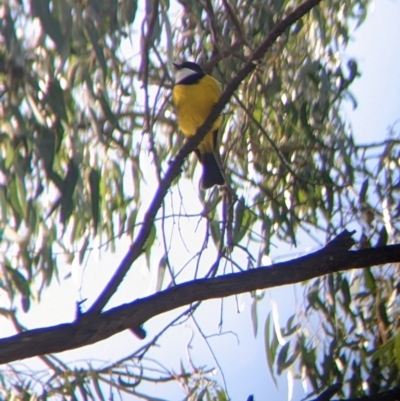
{"type": "Point", "coordinates": [87, 130]}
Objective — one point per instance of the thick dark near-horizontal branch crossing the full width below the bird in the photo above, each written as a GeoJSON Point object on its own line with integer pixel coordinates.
{"type": "Point", "coordinates": [90, 329]}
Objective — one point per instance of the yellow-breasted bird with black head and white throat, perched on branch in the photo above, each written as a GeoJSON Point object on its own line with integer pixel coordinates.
{"type": "Point", "coordinates": [194, 95]}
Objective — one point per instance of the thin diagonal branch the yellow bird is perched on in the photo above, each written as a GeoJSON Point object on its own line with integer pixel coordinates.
{"type": "Point", "coordinates": [174, 170]}
